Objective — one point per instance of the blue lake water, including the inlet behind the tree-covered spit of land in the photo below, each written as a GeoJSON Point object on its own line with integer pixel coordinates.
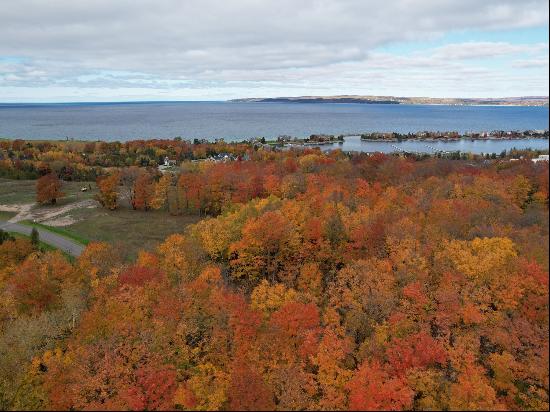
{"type": "Point", "coordinates": [237, 121]}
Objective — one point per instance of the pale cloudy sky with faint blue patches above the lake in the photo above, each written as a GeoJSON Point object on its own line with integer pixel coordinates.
{"type": "Point", "coordinates": [123, 50]}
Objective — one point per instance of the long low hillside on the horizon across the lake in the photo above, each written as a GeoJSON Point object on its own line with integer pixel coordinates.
{"type": "Point", "coordinates": [503, 101]}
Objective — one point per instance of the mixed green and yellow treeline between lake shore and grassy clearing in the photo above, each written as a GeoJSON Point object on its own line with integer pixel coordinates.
{"type": "Point", "coordinates": [85, 161]}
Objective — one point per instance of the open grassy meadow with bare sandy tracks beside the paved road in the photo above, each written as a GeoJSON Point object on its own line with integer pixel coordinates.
{"type": "Point", "coordinates": [77, 216]}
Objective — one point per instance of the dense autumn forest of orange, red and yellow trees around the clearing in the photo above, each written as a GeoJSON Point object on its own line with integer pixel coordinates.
{"type": "Point", "coordinates": [314, 281]}
